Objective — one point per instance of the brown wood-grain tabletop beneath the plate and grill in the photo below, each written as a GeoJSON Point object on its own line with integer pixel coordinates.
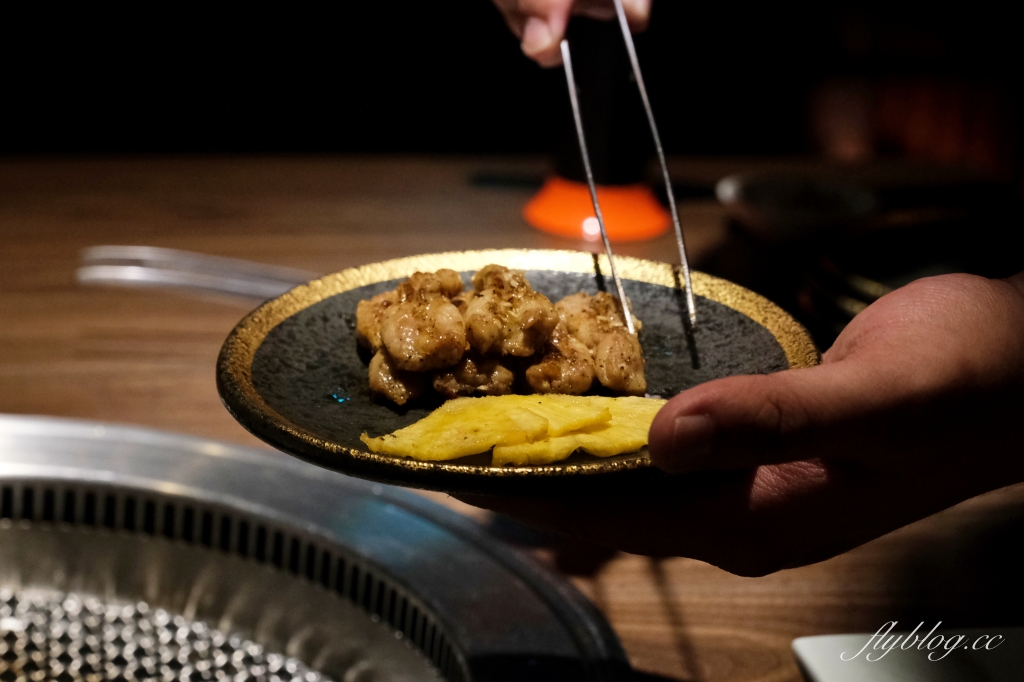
{"type": "Point", "coordinates": [147, 358]}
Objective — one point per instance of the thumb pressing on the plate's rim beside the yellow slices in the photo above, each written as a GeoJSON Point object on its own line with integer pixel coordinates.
{"type": "Point", "coordinates": [744, 422]}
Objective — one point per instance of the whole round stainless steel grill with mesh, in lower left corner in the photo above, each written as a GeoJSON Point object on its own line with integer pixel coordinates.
{"type": "Point", "coordinates": [322, 576]}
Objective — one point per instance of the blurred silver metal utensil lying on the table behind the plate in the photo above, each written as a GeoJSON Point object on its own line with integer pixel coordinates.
{"type": "Point", "coordinates": [170, 269]}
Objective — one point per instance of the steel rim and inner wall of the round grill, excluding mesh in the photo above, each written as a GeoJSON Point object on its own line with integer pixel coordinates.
{"type": "Point", "coordinates": [475, 608]}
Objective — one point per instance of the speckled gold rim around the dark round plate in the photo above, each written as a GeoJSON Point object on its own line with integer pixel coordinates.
{"type": "Point", "coordinates": [254, 412]}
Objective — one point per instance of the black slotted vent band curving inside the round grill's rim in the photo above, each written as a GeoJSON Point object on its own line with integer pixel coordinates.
{"type": "Point", "coordinates": [230, 531]}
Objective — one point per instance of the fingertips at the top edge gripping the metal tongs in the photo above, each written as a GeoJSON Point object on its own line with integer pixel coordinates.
{"type": "Point", "coordinates": [540, 25]}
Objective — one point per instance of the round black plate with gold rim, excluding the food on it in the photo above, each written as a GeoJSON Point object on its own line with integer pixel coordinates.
{"type": "Point", "coordinates": [293, 375]}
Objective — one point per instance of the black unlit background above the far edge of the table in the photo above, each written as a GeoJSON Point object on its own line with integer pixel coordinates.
{"type": "Point", "coordinates": [449, 78]}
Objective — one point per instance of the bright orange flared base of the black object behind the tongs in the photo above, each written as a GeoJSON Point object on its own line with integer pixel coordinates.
{"type": "Point", "coordinates": [565, 208]}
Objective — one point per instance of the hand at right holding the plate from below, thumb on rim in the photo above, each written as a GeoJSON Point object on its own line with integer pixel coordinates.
{"type": "Point", "coordinates": [916, 408]}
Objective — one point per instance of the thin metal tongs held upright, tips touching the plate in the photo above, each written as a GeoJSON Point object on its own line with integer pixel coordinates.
{"type": "Point", "coordinates": [631, 49]}
